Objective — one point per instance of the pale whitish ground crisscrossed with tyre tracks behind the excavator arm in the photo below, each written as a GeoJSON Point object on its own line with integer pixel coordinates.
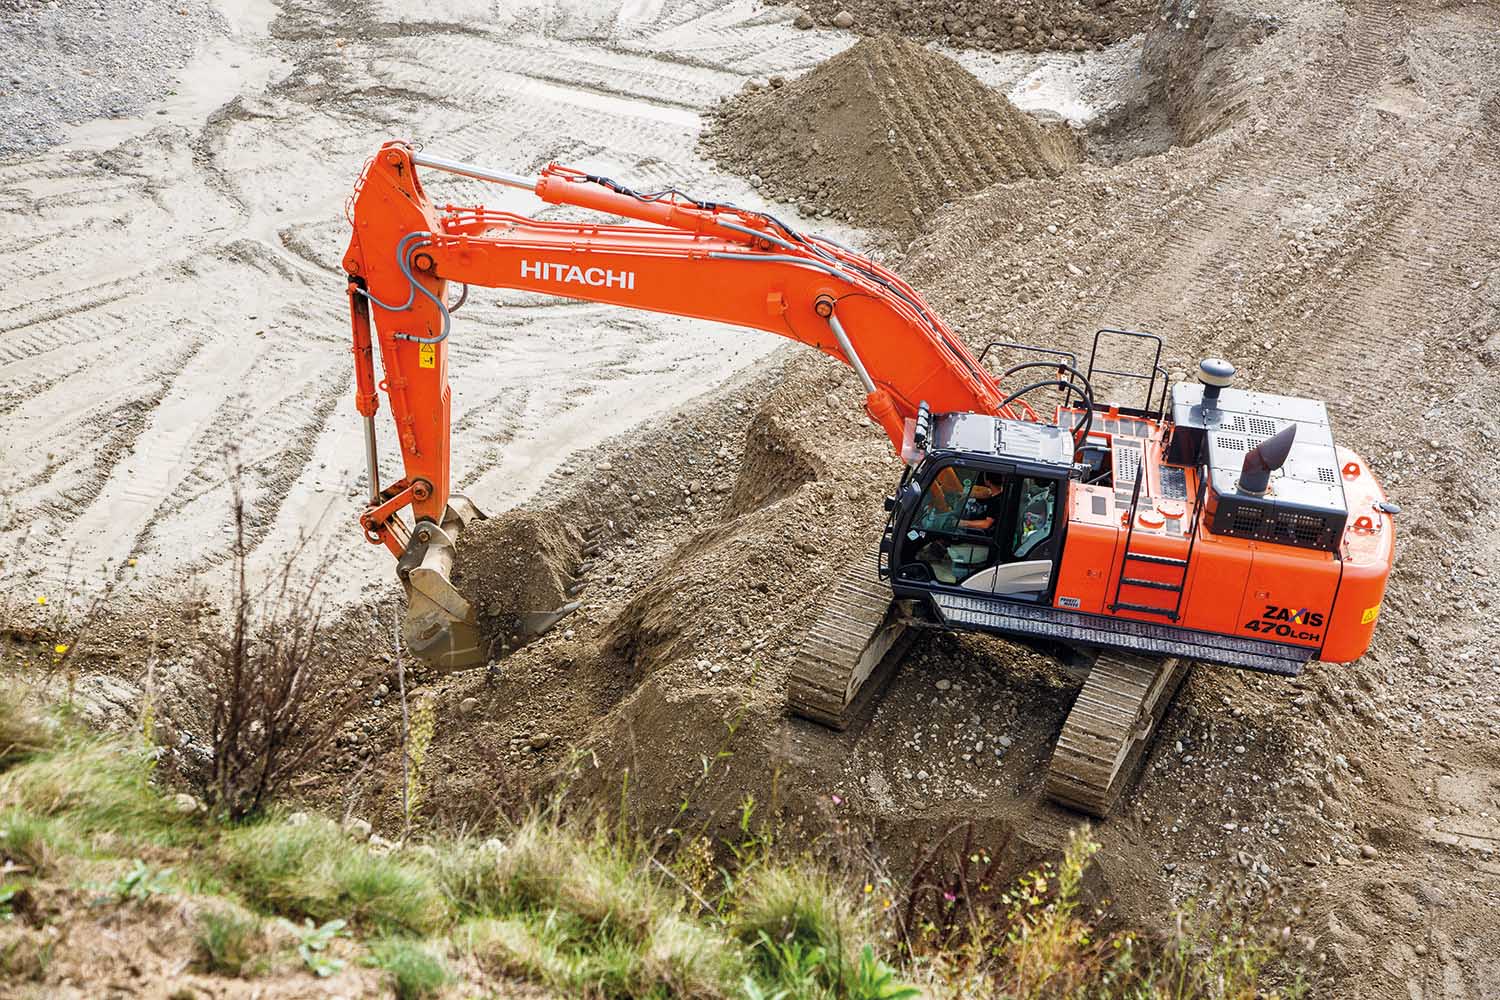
{"type": "Point", "coordinates": [161, 259]}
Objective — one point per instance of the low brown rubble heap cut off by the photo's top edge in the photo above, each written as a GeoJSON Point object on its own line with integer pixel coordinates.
{"type": "Point", "coordinates": [1066, 26]}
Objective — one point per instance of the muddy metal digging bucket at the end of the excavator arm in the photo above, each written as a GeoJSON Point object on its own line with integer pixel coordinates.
{"type": "Point", "coordinates": [442, 627]}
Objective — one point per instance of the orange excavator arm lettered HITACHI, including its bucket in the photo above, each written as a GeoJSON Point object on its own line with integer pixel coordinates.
{"type": "Point", "coordinates": [692, 259]}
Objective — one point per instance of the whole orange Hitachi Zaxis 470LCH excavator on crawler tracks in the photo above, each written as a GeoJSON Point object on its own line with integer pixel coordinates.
{"type": "Point", "coordinates": [1196, 522]}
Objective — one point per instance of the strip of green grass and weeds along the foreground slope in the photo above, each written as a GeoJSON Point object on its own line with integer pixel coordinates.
{"type": "Point", "coordinates": [575, 909]}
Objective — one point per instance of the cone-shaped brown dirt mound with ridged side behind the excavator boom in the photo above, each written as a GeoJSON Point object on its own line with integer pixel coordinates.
{"type": "Point", "coordinates": [883, 134]}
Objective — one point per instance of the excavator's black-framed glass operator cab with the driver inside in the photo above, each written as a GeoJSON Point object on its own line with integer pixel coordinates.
{"type": "Point", "coordinates": [985, 510]}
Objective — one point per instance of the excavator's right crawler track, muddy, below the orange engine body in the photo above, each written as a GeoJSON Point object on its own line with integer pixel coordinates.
{"type": "Point", "coordinates": [1111, 728]}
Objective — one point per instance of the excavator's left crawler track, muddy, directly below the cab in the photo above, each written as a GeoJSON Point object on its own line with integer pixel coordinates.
{"type": "Point", "coordinates": [851, 650]}
